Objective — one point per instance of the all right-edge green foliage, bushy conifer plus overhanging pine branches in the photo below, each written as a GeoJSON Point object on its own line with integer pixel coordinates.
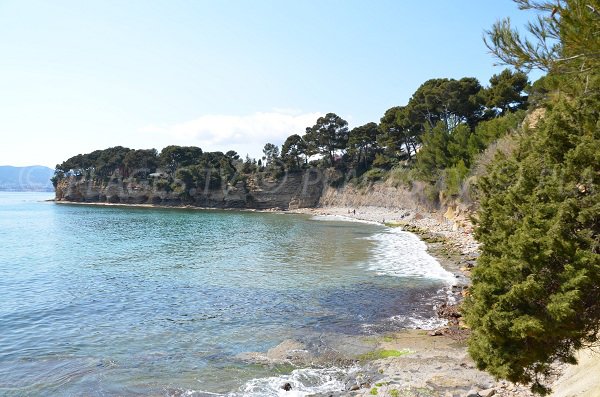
{"type": "Point", "coordinates": [535, 296]}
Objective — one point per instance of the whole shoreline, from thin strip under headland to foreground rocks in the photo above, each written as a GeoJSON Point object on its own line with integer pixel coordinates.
{"type": "Point", "coordinates": [440, 354]}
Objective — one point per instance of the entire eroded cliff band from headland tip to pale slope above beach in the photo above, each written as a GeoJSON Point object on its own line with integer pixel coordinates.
{"type": "Point", "coordinates": [306, 189]}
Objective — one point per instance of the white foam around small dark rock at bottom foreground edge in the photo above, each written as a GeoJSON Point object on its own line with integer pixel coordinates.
{"type": "Point", "coordinates": [304, 382]}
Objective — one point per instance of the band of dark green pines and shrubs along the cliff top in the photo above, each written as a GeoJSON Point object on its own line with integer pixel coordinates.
{"type": "Point", "coordinates": [435, 138]}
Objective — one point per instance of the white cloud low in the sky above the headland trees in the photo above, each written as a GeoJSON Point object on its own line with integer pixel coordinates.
{"type": "Point", "coordinates": [244, 134]}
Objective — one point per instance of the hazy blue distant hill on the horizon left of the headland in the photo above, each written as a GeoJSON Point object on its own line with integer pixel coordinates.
{"type": "Point", "coordinates": [34, 178]}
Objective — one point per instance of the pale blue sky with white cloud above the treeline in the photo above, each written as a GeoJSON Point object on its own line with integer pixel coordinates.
{"type": "Point", "coordinates": [76, 76]}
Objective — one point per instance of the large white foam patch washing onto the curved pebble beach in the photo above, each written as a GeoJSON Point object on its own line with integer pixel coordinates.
{"type": "Point", "coordinates": [402, 254]}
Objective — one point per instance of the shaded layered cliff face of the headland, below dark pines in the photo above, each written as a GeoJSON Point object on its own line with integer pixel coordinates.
{"type": "Point", "coordinates": [293, 190]}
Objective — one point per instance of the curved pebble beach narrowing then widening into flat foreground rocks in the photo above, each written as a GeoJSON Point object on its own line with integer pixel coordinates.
{"type": "Point", "coordinates": [436, 362]}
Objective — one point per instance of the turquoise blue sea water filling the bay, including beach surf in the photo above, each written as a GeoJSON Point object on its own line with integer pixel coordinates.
{"type": "Point", "coordinates": [112, 301]}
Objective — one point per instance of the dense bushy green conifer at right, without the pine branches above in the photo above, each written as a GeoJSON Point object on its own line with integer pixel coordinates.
{"type": "Point", "coordinates": [535, 295]}
